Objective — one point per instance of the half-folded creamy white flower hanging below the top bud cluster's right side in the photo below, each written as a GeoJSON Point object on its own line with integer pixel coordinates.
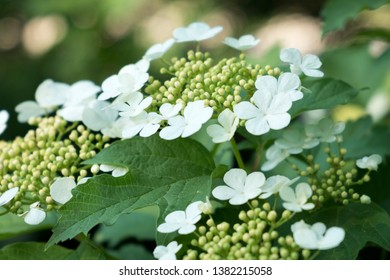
{"type": "Point", "coordinates": [225, 131]}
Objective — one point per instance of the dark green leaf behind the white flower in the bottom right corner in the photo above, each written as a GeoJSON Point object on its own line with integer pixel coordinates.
{"type": "Point", "coordinates": [362, 223]}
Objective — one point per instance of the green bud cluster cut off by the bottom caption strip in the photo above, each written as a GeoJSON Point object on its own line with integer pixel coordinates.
{"type": "Point", "coordinates": [254, 237]}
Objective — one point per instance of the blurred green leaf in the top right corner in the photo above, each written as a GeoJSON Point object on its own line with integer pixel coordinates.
{"type": "Point", "coordinates": [336, 13]}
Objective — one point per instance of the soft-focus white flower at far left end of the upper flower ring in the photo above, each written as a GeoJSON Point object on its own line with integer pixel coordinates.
{"type": "Point", "coordinates": [48, 96]}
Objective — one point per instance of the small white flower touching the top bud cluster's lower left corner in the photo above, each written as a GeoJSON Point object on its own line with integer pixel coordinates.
{"type": "Point", "coordinates": [134, 105]}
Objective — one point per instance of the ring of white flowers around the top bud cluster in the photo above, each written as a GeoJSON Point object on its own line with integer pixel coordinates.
{"type": "Point", "coordinates": [119, 109]}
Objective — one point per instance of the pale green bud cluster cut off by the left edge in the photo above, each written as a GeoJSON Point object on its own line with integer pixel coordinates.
{"type": "Point", "coordinates": [32, 163]}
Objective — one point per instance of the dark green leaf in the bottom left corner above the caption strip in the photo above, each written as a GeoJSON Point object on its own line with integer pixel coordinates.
{"type": "Point", "coordinates": [33, 251]}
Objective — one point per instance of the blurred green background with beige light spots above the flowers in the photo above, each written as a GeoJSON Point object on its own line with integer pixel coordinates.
{"type": "Point", "coordinates": [69, 41]}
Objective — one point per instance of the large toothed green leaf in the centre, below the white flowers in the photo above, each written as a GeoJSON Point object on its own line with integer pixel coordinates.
{"type": "Point", "coordinates": [170, 174]}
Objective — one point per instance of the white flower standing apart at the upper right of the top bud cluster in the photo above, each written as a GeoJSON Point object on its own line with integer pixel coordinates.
{"type": "Point", "coordinates": [308, 65]}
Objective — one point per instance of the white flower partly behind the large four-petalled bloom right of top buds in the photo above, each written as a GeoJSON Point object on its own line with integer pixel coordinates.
{"type": "Point", "coordinates": [287, 84]}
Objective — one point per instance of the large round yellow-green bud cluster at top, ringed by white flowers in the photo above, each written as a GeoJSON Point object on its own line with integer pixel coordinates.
{"type": "Point", "coordinates": [196, 78]}
